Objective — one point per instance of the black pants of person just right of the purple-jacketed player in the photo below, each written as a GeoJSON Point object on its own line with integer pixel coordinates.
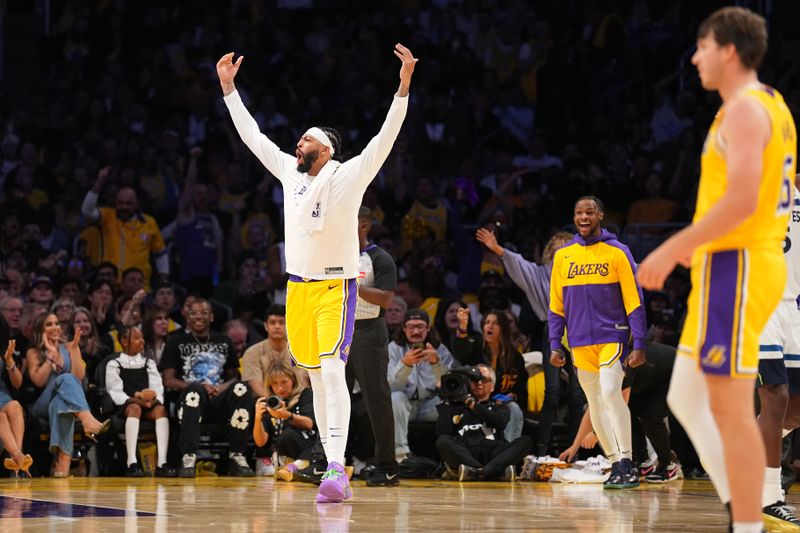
{"type": "Point", "coordinates": [648, 414]}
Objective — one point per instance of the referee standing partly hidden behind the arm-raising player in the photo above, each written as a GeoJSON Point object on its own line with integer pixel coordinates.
{"type": "Point", "coordinates": [369, 354]}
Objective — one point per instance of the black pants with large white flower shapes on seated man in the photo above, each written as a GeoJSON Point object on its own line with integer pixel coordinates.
{"type": "Point", "coordinates": [233, 408]}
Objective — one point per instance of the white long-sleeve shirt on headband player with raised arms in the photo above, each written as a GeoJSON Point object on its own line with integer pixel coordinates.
{"type": "Point", "coordinates": [331, 253]}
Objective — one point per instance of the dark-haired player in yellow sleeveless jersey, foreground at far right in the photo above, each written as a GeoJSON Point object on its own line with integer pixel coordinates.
{"type": "Point", "coordinates": [734, 247]}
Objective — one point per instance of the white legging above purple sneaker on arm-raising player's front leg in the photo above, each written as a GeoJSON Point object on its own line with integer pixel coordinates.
{"type": "Point", "coordinates": [337, 402]}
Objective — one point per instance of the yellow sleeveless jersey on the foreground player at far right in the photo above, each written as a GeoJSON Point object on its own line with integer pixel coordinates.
{"type": "Point", "coordinates": [766, 228]}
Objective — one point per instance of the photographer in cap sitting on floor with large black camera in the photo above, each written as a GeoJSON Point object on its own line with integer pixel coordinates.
{"type": "Point", "coordinates": [470, 428]}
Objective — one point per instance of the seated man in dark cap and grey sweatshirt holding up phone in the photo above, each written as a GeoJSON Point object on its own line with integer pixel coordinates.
{"type": "Point", "coordinates": [417, 360]}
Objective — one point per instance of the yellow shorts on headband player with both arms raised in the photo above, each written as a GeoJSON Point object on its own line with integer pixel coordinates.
{"type": "Point", "coordinates": [320, 315]}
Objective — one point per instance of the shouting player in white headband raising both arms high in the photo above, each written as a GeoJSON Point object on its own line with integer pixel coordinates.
{"type": "Point", "coordinates": [322, 257]}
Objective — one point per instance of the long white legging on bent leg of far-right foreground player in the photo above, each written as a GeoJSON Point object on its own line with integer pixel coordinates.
{"type": "Point", "coordinates": [689, 402]}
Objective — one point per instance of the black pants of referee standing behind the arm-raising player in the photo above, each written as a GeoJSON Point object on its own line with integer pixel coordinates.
{"type": "Point", "coordinates": [369, 365]}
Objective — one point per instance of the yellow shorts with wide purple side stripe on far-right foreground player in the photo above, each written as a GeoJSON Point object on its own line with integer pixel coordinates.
{"type": "Point", "coordinates": [734, 292]}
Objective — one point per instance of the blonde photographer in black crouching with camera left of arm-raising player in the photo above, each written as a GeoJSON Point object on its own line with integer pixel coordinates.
{"type": "Point", "coordinates": [289, 425]}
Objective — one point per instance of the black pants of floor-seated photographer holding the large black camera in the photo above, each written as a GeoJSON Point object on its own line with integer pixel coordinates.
{"type": "Point", "coordinates": [491, 455]}
